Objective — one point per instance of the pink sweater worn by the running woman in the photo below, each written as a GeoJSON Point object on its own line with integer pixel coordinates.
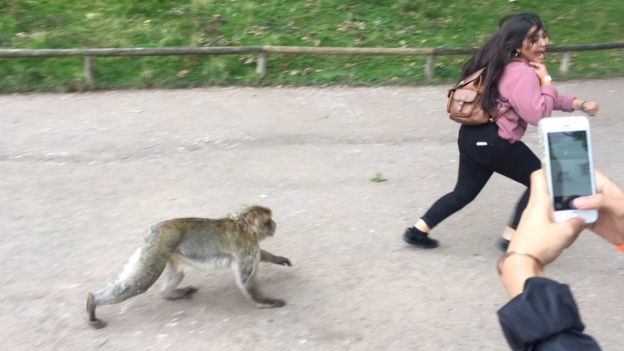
{"type": "Point", "coordinates": [519, 88]}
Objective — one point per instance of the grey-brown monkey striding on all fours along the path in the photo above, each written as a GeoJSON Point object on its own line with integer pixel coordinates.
{"type": "Point", "coordinates": [175, 245]}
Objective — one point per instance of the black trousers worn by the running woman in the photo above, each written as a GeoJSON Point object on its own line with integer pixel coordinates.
{"type": "Point", "coordinates": [481, 153]}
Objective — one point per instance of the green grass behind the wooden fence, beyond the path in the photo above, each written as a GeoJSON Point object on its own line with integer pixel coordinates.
{"type": "Point", "coordinates": [356, 23]}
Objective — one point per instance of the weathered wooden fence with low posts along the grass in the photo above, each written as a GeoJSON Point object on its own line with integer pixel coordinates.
{"type": "Point", "coordinates": [264, 51]}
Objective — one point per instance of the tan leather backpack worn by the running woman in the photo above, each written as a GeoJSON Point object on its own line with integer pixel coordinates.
{"type": "Point", "coordinates": [464, 101]}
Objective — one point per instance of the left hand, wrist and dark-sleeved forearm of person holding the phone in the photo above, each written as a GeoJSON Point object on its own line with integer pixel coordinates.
{"type": "Point", "coordinates": [542, 314]}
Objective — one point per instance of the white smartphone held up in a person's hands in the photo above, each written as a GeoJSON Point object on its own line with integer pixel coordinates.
{"type": "Point", "coordinates": [568, 164]}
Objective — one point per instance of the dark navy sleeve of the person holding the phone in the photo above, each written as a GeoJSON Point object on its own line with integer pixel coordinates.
{"type": "Point", "coordinates": [544, 317]}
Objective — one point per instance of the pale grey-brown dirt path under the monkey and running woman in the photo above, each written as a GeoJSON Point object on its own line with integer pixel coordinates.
{"type": "Point", "coordinates": [84, 175]}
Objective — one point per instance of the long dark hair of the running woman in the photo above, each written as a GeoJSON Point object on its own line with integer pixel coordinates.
{"type": "Point", "coordinates": [498, 51]}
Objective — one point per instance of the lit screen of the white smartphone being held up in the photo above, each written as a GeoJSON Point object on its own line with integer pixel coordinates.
{"type": "Point", "coordinates": [570, 168]}
